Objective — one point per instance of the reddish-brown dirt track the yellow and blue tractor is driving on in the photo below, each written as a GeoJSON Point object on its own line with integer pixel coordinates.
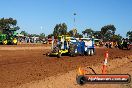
{"type": "Point", "coordinates": [26, 64]}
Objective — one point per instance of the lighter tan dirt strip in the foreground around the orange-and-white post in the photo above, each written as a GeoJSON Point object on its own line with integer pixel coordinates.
{"type": "Point", "coordinates": [68, 80]}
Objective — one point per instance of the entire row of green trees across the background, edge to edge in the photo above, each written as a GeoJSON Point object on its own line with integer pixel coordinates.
{"type": "Point", "coordinates": [106, 33]}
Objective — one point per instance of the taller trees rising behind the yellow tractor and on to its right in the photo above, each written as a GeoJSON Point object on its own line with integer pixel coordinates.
{"type": "Point", "coordinates": [106, 33]}
